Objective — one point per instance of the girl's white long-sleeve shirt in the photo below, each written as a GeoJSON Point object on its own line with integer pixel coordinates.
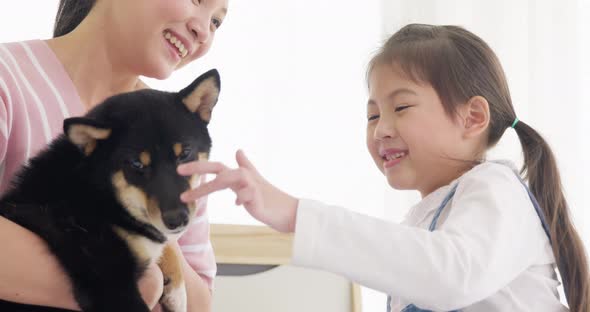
{"type": "Point", "coordinates": [489, 251]}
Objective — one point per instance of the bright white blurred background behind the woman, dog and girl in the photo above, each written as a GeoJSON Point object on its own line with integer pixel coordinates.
{"type": "Point", "coordinates": [294, 92]}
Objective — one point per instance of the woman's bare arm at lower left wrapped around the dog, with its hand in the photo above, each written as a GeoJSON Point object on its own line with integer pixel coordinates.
{"type": "Point", "coordinates": [30, 274]}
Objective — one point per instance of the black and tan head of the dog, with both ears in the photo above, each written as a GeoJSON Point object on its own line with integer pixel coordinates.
{"type": "Point", "coordinates": [133, 143]}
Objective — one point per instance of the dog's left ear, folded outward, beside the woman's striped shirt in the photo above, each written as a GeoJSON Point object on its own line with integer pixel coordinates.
{"type": "Point", "coordinates": [84, 132]}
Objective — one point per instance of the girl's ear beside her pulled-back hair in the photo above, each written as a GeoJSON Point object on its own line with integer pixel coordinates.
{"type": "Point", "coordinates": [475, 116]}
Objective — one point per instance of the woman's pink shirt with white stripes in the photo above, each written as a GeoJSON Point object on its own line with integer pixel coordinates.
{"type": "Point", "coordinates": [36, 95]}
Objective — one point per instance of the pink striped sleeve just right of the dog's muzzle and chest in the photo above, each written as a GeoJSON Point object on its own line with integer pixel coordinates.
{"type": "Point", "coordinates": [196, 245]}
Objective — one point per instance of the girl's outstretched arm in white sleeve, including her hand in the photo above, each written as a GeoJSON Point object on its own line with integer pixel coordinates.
{"type": "Point", "coordinates": [491, 236]}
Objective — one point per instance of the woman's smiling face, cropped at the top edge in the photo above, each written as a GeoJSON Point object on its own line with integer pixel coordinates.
{"type": "Point", "coordinates": [155, 37]}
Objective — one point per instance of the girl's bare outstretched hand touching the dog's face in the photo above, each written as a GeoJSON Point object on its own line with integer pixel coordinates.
{"type": "Point", "coordinates": [262, 200]}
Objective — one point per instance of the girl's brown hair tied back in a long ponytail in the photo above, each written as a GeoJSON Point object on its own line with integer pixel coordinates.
{"type": "Point", "coordinates": [459, 65]}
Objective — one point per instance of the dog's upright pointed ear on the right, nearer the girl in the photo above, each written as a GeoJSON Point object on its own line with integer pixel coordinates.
{"type": "Point", "coordinates": [201, 95]}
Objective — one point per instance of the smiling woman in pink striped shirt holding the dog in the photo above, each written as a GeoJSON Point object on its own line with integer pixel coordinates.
{"type": "Point", "coordinates": [101, 47]}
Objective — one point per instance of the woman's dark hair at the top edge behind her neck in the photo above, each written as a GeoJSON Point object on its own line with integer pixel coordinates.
{"type": "Point", "coordinates": [69, 15]}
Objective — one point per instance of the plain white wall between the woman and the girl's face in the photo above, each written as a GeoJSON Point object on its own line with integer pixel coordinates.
{"type": "Point", "coordinates": [294, 98]}
